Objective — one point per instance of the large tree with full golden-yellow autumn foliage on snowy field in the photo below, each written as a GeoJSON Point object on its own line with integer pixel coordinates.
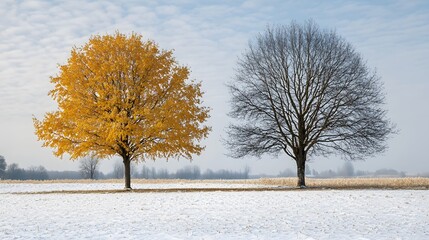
{"type": "Point", "coordinates": [118, 95]}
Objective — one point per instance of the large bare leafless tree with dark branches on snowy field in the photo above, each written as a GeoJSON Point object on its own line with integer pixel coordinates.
{"type": "Point", "coordinates": [305, 91]}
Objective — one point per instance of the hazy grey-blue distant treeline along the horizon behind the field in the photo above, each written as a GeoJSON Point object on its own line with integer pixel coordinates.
{"type": "Point", "coordinates": [14, 172]}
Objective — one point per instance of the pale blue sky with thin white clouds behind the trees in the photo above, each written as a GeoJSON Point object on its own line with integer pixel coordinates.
{"type": "Point", "coordinates": [208, 37]}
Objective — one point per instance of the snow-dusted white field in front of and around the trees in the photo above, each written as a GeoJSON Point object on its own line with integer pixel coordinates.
{"type": "Point", "coordinates": [315, 214]}
